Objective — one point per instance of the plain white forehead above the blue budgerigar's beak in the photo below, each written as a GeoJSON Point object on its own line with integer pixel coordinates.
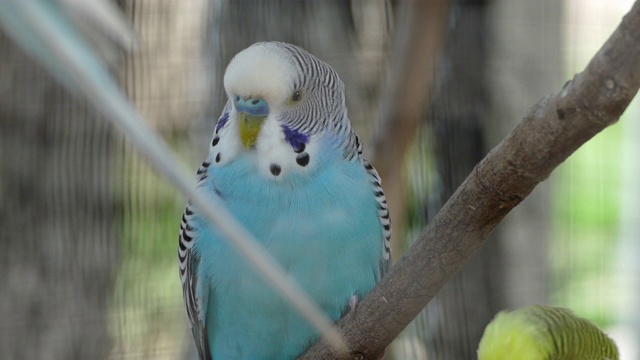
{"type": "Point", "coordinates": [263, 70]}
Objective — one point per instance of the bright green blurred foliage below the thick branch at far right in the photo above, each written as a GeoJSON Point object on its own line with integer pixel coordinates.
{"type": "Point", "coordinates": [585, 225]}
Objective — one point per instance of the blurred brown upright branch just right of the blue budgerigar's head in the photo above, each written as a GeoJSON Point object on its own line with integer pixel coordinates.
{"type": "Point", "coordinates": [418, 39]}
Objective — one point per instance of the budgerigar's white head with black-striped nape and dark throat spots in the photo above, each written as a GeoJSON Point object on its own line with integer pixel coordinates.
{"type": "Point", "coordinates": [282, 102]}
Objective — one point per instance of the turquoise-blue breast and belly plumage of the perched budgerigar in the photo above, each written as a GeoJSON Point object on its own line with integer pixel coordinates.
{"type": "Point", "coordinates": [322, 227]}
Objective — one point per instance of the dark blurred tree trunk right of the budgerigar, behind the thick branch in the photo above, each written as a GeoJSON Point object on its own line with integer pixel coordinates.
{"type": "Point", "coordinates": [457, 123]}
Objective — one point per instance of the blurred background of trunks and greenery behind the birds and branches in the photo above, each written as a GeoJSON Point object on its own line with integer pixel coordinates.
{"type": "Point", "coordinates": [88, 232]}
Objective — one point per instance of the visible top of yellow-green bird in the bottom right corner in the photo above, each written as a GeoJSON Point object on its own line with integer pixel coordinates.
{"type": "Point", "coordinates": [543, 332]}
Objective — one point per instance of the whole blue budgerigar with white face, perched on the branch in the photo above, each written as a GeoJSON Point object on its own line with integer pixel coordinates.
{"type": "Point", "coordinates": [285, 161]}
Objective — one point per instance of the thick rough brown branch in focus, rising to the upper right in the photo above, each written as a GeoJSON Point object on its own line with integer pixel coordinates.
{"type": "Point", "coordinates": [551, 131]}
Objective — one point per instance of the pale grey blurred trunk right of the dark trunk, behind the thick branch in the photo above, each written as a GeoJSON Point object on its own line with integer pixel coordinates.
{"type": "Point", "coordinates": [525, 61]}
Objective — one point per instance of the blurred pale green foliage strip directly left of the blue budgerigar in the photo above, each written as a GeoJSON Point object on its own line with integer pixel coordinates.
{"type": "Point", "coordinates": [147, 293]}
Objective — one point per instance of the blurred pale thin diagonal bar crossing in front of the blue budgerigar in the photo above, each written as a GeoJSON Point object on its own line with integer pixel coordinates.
{"type": "Point", "coordinates": [41, 28]}
